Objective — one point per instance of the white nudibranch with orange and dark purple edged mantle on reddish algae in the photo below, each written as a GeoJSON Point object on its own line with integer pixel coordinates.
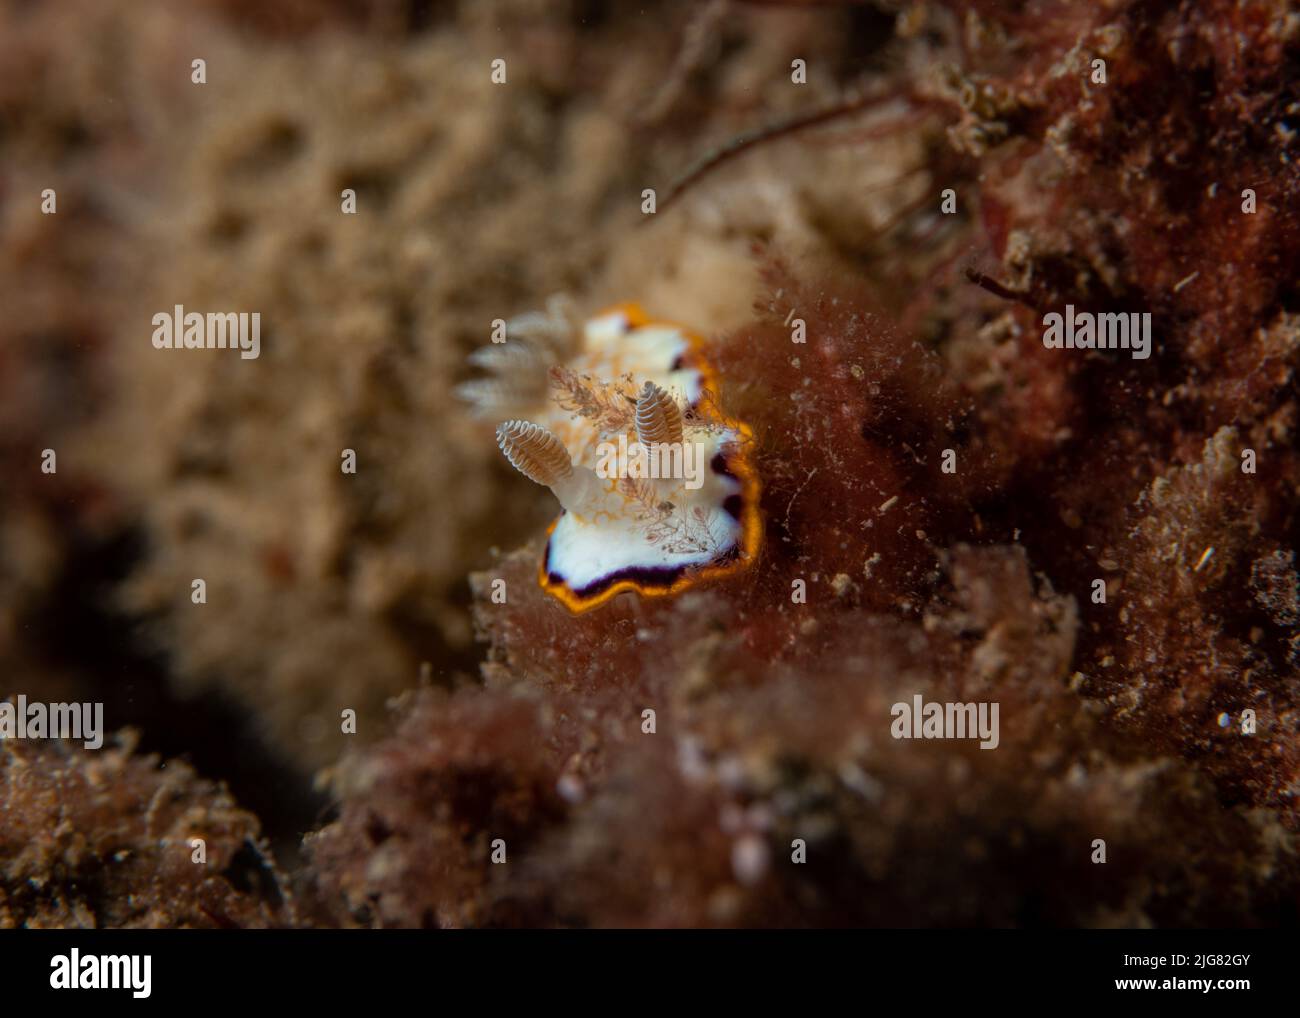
{"type": "Point", "coordinates": [618, 417]}
